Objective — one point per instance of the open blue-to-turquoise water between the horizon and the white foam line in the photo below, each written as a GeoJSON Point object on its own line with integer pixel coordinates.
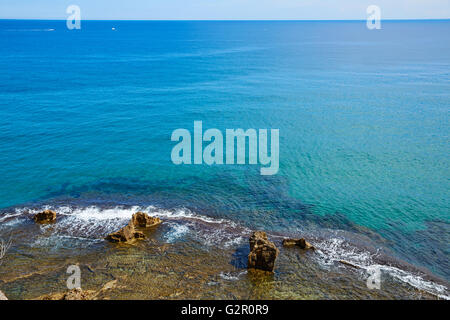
{"type": "Point", "coordinates": [363, 117]}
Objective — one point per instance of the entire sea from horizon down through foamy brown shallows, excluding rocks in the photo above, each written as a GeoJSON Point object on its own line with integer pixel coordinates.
{"type": "Point", "coordinates": [363, 117]}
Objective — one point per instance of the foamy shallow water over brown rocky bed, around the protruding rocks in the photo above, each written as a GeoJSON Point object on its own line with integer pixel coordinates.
{"type": "Point", "coordinates": [192, 256]}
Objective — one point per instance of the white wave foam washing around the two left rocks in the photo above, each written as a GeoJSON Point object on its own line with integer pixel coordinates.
{"type": "Point", "coordinates": [96, 222]}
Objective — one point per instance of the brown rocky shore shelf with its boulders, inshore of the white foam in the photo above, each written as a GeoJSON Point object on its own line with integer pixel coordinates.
{"type": "Point", "coordinates": [139, 254]}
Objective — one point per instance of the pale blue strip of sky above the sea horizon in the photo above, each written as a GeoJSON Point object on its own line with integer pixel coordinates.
{"type": "Point", "coordinates": [225, 9]}
